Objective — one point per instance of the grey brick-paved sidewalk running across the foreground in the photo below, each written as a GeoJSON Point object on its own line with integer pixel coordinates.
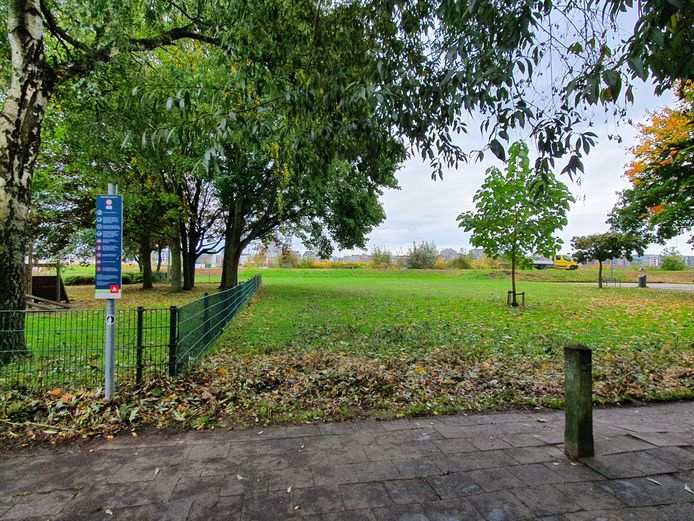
{"type": "Point", "coordinates": [492, 467]}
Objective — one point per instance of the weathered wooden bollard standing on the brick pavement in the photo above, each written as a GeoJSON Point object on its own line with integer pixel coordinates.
{"type": "Point", "coordinates": [578, 408]}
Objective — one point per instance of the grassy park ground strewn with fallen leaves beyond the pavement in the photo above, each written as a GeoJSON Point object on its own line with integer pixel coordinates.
{"type": "Point", "coordinates": [324, 345]}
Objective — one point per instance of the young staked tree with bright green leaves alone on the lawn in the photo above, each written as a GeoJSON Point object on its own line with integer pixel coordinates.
{"type": "Point", "coordinates": [516, 213]}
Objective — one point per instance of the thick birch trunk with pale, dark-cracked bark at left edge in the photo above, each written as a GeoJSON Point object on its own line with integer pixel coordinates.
{"type": "Point", "coordinates": [20, 136]}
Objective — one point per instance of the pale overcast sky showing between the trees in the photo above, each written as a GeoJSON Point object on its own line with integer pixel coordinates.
{"type": "Point", "coordinates": [426, 210]}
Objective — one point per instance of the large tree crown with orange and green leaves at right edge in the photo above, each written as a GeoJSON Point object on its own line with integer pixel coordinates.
{"type": "Point", "coordinates": [660, 203]}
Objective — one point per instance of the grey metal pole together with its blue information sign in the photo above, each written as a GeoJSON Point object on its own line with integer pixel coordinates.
{"type": "Point", "coordinates": [109, 243]}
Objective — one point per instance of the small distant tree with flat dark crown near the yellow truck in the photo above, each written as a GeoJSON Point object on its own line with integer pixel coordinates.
{"type": "Point", "coordinates": [606, 246]}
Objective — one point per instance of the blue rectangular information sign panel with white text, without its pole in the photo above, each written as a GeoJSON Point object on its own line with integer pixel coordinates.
{"type": "Point", "coordinates": [109, 245]}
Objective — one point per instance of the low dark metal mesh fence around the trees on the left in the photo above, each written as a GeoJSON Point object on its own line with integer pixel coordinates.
{"type": "Point", "coordinates": [65, 348]}
